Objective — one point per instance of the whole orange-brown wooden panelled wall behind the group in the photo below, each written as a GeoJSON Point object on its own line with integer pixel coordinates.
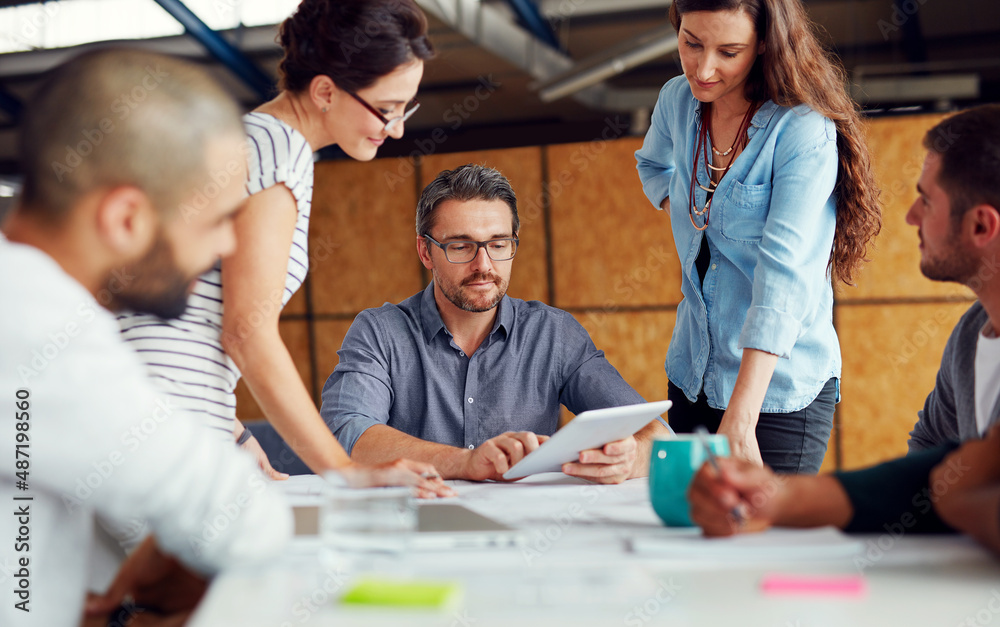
{"type": "Point", "coordinates": [613, 260]}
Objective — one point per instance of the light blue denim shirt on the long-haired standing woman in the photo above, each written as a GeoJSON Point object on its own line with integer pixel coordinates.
{"type": "Point", "coordinates": [770, 235]}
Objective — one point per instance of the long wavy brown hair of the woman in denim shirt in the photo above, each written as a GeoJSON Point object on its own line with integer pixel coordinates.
{"type": "Point", "coordinates": [795, 69]}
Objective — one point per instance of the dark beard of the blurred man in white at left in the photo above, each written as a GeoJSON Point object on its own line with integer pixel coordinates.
{"type": "Point", "coordinates": [155, 286]}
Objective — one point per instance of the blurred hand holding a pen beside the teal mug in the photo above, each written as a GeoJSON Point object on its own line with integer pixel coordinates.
{"type": "Point", "coordinates": [756, 490]}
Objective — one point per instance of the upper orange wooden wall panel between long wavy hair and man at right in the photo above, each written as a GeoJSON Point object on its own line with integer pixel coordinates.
{"type": "Point", "coordinates": [894, 270]}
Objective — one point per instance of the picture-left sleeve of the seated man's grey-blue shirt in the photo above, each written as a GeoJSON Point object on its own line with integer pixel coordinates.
{"type": "Point", "coordinates": [358, 395]}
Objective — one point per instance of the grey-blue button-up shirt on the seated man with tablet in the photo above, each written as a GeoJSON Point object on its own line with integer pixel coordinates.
{"type": "Point", "coordinates": [399, 366]}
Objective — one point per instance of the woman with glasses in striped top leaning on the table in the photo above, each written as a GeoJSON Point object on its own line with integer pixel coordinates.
{"type": "Point", "coordinates": [348, 78]}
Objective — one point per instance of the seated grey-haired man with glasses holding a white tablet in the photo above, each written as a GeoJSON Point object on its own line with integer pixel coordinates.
{"type": "Point", "coordinates": [461, 375]}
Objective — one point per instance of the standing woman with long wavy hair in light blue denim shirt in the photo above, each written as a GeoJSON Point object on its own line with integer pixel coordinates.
{"type": "Point", "coordinates": [758, 156]}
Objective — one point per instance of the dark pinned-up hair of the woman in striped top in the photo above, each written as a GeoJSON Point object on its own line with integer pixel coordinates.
{"type": "Point", "coordinates": [354, 42]}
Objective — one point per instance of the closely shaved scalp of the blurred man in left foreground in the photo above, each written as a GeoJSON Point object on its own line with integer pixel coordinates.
{"type": "Point", "coordinates": [121, 118]}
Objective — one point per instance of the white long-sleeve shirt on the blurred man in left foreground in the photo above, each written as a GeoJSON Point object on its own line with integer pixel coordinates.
{"type": "Point", "coordinates": [102, 440]}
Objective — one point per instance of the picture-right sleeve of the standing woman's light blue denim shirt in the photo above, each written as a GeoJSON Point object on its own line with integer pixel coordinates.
{"type": "Point", "coordinates": [794, 252]}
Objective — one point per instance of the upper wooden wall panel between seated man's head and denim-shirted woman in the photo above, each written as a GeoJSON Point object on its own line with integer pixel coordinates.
{"type": "Point", "coordinates": [611, 248]}
